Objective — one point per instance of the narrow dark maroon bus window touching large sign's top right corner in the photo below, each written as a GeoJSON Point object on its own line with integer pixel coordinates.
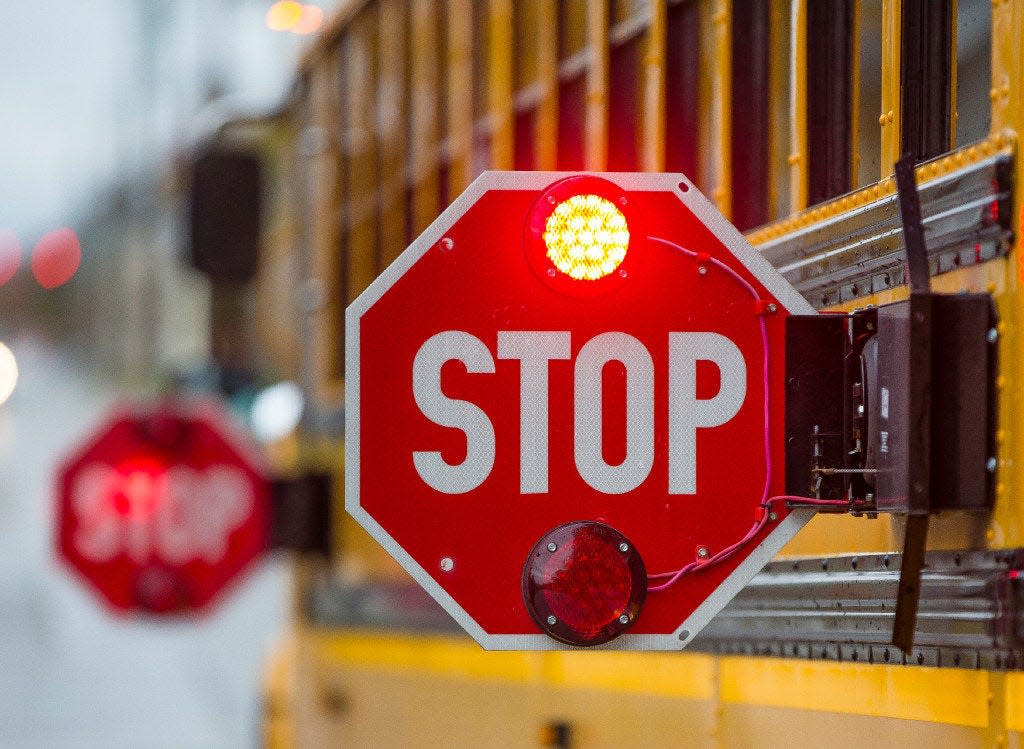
{"type": "Point", "coordinates": [682, 88]}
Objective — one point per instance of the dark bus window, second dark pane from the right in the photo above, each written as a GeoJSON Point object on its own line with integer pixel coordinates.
{"type": "Point", "coordinates": [830, 58]}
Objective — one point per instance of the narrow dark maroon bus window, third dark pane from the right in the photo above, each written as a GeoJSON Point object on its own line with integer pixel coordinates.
{"type": "Point", "coordinates": [750, 123]}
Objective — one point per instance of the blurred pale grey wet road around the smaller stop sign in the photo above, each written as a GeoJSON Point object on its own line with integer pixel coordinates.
{"type": "Point", "coordinates": [71, 674]}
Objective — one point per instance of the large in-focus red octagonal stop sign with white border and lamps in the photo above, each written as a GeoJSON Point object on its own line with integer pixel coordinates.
{"type": "Point", "coordinates": [565, 410]}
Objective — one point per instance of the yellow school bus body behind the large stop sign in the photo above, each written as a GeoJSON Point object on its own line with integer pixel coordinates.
{"type": "Point", "coordinates": [790, 115]}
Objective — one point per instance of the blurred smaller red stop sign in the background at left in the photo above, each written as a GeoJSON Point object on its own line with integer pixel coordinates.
{"type": "Point", "coordinates": [160, 510]}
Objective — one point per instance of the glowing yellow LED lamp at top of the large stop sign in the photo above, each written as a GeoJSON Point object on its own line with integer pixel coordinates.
{"type": "Point", "coordinates": [586, 237]}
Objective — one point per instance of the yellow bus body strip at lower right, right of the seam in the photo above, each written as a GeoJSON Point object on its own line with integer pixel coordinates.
{"type": "Point", "coordinates": [942, 696]}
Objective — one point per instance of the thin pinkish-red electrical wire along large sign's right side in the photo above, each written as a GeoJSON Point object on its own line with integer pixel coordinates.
{"type": "Point", "coordinates": [761, 308]}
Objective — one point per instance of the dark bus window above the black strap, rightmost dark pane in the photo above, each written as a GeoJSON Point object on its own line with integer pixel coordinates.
{"type": "Point", "coordinates": [925, 69]}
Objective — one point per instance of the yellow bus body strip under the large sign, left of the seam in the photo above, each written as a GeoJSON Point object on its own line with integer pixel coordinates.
{"type": "Point", "coordinates": [690, 677]}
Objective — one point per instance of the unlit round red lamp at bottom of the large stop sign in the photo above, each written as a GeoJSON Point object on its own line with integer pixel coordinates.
{"type": "Point", "coordinates": [584, 584]}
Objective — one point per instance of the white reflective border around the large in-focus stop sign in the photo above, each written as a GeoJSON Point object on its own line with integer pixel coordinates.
{"type": "Point", "coordinates": [634, 182]}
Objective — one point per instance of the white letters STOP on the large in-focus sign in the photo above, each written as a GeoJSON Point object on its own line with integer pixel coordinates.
{"type": "Point", "coordinates": [534, 351]}
